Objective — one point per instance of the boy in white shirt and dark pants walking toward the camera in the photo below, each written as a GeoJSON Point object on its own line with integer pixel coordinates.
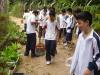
{"type": "Point", "coordinates": [50, 37]}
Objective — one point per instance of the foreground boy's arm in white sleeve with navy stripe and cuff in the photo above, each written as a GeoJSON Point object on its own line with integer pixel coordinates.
{"type": "Point", "coordinates": [95, 65]}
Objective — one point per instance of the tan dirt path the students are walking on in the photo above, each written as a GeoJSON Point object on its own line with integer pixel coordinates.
{"type": "Point", "coordinates": [37, 66]}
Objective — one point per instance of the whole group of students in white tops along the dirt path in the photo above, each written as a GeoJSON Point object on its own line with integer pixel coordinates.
{"type": "Point", "coordinates": [86, 59]}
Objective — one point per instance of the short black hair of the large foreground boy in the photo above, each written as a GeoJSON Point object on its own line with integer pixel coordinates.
{"type": "Point", "coordinates": [84, 16]}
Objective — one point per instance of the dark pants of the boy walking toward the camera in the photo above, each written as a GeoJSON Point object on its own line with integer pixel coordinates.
{"type": "Point", "coordinates": [50, 46]}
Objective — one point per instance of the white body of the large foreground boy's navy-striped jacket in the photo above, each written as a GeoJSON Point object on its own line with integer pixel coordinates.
{"type": "Point", "coordinates": [84, 53]}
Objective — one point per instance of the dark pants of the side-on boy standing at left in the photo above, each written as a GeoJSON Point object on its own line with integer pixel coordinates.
{"type": "Point", "coordinates": [31, 44]}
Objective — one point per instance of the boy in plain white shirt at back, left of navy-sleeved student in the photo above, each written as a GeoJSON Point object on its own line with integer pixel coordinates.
{"type": "Point", "coordinates": [61, 18]}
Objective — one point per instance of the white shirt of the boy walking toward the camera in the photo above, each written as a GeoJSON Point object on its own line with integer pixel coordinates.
{"type": "Point", "coordinates": [51, 32]}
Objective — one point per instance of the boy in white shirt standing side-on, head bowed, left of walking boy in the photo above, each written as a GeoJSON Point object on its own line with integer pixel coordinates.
{"type": "Point", "coordinates": [31, 34]}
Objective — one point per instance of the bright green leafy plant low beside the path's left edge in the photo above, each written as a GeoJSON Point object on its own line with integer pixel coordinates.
{"type": "Point", "coordinates": [10, 53]}
